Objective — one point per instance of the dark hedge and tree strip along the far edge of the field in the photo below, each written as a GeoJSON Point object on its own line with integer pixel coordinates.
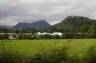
{"type": "Point", "coordinates": [34, 36]}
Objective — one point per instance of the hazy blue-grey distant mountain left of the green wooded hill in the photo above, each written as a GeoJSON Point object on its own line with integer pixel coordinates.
{"type": "Point", "coordinates": [38, 25]}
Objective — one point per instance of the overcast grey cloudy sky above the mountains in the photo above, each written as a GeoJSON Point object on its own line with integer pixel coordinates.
{"type": "Point", "coordinates": [53, 11]}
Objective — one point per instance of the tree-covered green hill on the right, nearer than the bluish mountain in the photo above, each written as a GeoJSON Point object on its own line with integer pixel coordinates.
{"type": "Point", "coordinates": [76, 24]}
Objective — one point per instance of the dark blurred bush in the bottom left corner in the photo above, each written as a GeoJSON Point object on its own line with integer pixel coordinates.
{"type": "Point", "coordinates": [12, 57]}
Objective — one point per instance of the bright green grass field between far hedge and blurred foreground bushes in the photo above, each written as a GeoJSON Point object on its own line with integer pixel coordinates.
{"type": "Point", "coordinates": [30, 47]}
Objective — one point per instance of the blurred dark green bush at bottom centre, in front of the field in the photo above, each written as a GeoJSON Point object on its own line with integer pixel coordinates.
{"type": "Point", "coordinates": [55, 56]}
